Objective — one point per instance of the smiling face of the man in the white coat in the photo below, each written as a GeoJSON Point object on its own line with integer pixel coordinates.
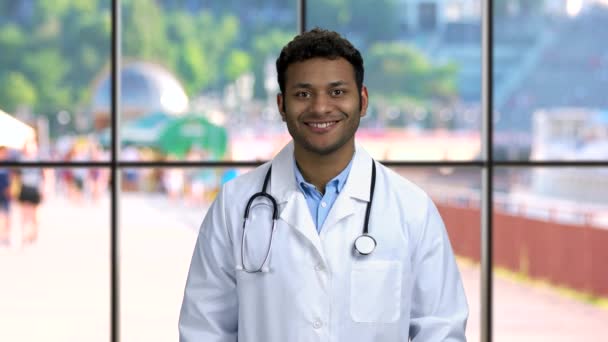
{"type": "Point", "coordinates": [322, 105]}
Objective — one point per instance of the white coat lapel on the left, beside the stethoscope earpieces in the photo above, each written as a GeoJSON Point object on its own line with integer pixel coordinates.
{"type": "Point", "coordinates": [292, 204]}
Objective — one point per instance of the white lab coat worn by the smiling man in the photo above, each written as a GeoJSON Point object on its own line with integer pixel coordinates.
{"type": "Point", "coordinates": [317, 289]}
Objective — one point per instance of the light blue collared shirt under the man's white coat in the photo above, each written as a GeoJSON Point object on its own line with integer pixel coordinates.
{"type": "Point", "coordinates": [320, 204]}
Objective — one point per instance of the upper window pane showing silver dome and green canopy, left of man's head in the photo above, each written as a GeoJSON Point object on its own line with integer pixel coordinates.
{"type": "Point", "coordinates": [198, 79]}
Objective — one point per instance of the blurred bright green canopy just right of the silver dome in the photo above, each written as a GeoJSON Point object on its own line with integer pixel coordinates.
{"type": "Point", "coordinates": [193, 131]}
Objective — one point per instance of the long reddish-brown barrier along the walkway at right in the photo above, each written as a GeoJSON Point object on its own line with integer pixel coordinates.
{"type": "Point", "coordinates": [567, 255]}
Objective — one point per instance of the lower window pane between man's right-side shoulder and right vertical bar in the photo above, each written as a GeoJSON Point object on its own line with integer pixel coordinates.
{"type": "Point", "coordinates": [456, 193]}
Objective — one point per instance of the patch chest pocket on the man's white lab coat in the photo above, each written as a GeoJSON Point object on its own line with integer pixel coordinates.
{"type": "Point", "coordinates": [375, 294]}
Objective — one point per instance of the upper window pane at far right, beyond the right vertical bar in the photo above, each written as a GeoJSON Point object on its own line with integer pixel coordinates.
{"type": "Point", "coordinates": [550, 101]}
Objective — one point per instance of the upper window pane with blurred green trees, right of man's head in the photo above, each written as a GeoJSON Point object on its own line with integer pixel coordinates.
{"type": "Point", "coordinates": [422, 61]}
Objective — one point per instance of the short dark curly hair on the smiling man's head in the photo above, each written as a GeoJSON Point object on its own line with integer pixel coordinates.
{"type": "Point", "coordinates": [319, 43]}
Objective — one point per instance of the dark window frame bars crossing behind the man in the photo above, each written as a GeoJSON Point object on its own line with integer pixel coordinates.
{"type": "Point", "coordinates": [487, 164]}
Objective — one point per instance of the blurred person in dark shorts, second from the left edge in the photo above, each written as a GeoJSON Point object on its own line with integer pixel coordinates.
{"type": "Point", "coordinates": [31, 192]}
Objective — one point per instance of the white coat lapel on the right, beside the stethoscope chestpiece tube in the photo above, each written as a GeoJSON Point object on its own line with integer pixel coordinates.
{"type": "Point", "coordinates": [355, 189]}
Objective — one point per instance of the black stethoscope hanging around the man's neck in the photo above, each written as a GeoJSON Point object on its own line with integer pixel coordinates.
{"type": "Point", "coordinates": [364, 244]}
